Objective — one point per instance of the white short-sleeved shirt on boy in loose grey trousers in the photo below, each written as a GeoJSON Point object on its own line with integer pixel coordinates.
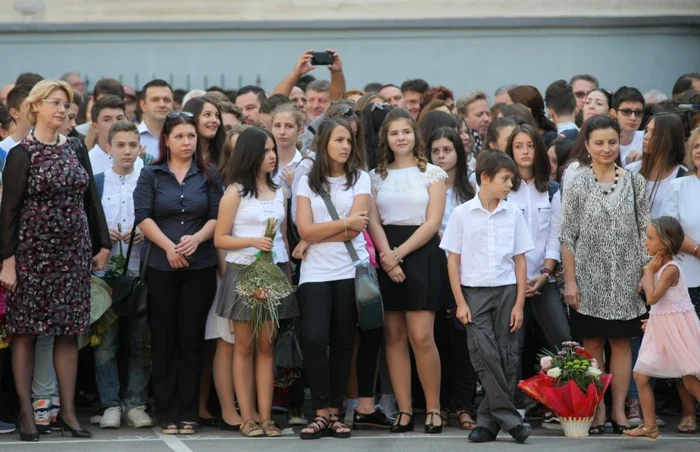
{"type": "Point", "coordinates": [487, 242]}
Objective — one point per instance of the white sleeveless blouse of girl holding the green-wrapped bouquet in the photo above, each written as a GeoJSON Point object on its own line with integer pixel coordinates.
{"type": "Point", "coordinates": [251, 221]}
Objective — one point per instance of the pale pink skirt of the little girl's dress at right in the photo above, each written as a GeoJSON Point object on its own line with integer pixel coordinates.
{"type": "Point", "coordinates": [671, 346]}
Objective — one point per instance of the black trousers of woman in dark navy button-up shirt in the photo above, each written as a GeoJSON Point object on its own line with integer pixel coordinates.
{"type": "Point", "coordinates": [178, 304]}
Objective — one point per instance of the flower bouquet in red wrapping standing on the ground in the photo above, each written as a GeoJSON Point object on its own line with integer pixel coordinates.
{"type": "Point", "coordinates": [571, 384]}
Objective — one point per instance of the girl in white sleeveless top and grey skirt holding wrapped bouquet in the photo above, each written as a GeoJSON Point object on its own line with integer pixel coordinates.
{"type": "Point", "coordinates": [250, 200]}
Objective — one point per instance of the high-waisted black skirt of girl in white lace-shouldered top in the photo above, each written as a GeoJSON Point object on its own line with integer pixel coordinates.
{"type": "Point", "coordinates": [427, 285]}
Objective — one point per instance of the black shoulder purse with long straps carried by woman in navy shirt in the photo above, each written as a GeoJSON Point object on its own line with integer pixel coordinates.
{"type": "Point", "coordinates": [130, 292]}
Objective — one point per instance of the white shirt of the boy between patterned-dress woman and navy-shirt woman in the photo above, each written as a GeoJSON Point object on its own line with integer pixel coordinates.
{"type": "Point", "coordinates": [118, 205]}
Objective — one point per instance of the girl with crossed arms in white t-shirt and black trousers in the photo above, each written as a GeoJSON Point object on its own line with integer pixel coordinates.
{"type": "Point", "coordinates": [327, 280]}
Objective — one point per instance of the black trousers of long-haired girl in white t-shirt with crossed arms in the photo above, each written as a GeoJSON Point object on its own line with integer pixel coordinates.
{"type": "Point", "coordinates": [328, 318]}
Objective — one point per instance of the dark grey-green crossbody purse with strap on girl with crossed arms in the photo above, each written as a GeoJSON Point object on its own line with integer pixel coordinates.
{"type": "Point", "coordinates": [368, 298]}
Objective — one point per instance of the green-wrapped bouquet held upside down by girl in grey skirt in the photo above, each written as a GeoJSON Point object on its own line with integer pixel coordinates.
{"type": "Point", "coordinates": [264, 285]}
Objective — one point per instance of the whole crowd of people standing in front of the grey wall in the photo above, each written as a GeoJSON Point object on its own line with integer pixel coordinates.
{"type": "Point", "coordinates": [496, 226]}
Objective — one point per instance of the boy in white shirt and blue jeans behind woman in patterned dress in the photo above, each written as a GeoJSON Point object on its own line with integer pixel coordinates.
{"type": "Point", "coordinates": [116, 187]}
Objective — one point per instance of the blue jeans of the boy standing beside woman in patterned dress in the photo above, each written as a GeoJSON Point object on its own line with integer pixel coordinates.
{"type": "Point", "coordinates": [106, 372]}
